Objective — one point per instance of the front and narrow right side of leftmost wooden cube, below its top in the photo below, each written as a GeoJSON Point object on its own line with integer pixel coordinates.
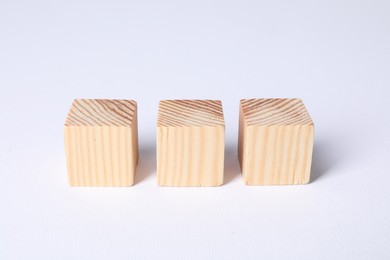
{"type": "Point", "coordinates": [100, 155]}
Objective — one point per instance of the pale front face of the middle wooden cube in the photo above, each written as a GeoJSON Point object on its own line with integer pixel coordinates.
{"type": "Point", "coordinates": [190, 156]}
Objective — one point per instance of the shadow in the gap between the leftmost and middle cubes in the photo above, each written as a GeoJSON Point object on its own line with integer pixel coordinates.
{"type": "Point", "coordinates": [146, 162]}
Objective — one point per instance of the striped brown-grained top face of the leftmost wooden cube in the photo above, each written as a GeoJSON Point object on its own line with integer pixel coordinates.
{"type": "Point", "coordinates": [101, 112]}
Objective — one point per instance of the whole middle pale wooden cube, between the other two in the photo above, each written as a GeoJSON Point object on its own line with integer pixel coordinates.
{"type": "Point", "coordinates": [190, 143]}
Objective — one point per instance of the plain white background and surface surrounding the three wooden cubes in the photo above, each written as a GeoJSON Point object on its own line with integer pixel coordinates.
{"type": "Point", "coordinates": [335, 55]}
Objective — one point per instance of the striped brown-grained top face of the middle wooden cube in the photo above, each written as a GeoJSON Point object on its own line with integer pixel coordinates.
{"type": "Point", "coordinates": [177, 113]}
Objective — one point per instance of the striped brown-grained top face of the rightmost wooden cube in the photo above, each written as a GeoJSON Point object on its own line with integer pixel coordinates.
{"type": "Point", "coordinates": [274, 111]}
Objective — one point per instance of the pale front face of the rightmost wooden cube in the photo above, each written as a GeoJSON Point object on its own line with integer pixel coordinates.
{"type": "Point", "coordinates": [278, 155]}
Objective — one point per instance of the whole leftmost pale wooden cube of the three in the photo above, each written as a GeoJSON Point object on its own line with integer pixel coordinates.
{"type": "Point", "coordinates": [101, 142]}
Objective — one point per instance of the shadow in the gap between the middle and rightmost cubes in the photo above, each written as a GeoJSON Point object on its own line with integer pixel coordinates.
{"type": "Point", "coordinates": [232, 166]}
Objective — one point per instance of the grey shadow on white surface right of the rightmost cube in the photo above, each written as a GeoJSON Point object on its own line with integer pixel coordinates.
{"type": "Point", "coordinates": [324, 158]}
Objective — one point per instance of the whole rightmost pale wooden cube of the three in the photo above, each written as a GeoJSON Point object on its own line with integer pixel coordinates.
{"type": "Point", "coordinates": [275, 143]}
